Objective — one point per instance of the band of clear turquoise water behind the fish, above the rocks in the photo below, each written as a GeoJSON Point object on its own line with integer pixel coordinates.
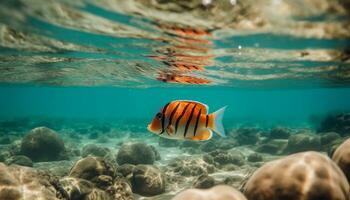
{"type": "Point", "coordinates": [266, 108]}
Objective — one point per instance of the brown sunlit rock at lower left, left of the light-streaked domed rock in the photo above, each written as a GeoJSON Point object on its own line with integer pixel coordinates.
{"type": "Point", "coordinates": [90, 168]}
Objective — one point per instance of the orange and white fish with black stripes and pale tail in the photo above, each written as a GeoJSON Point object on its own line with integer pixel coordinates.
{"type": "Point", "coordinates": [187, 120]}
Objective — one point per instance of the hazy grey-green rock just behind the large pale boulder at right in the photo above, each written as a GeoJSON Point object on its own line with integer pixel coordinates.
{"type": "Point", "coordinates": [303, 142]}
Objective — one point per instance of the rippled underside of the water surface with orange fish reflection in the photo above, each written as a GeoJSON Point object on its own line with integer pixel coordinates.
{"type": "Point", "coordinates": [147, 43]}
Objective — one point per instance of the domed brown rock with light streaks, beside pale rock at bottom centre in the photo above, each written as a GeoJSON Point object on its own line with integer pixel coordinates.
{"type": "Point", "coordinates": [148, 180]}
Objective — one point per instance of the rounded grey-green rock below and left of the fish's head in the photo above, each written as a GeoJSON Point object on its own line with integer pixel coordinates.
{"type": "Point", "coordinates": [136, 153]}
